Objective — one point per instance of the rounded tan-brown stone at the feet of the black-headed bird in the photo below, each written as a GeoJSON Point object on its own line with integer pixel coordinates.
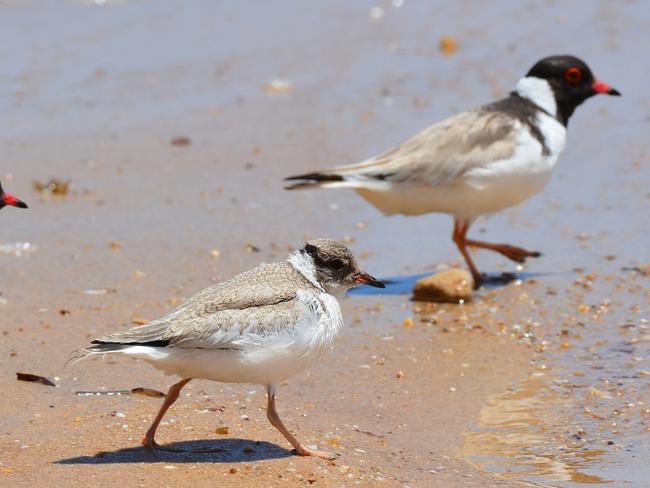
{"type": "Point", "coordinates": [451, 285]}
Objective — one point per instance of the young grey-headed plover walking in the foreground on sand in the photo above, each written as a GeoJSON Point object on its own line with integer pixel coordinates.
{"type": "Point", "coordinates": [261, 326]}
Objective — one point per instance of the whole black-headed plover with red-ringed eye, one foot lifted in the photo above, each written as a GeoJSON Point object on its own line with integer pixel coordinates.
{"type": "Point", "coordinates": [478, 162]}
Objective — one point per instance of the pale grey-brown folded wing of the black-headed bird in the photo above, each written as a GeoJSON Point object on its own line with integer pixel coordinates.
{"type": "Point", "coordinates": [441, 152]}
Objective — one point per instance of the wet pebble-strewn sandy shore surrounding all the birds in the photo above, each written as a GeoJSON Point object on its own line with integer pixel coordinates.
{"type": "Point", "coordinates": [454, 399]}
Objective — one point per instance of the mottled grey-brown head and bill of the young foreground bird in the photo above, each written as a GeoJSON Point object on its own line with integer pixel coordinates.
{"type": "Point", "coordinates": [335, 267]}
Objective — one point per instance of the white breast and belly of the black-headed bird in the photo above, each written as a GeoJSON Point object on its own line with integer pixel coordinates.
{"type": "Point", "coordinates": [482, 190]}
